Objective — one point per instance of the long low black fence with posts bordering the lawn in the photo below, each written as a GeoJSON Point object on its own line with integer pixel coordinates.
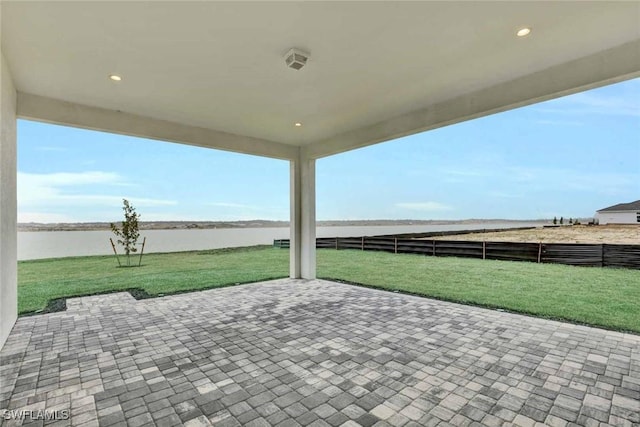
{"type": "Point", "coordinates": [595, 255]}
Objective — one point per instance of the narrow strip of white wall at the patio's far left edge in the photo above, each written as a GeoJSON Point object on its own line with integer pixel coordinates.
{"type": "Point", "coordinates": [8, 204]}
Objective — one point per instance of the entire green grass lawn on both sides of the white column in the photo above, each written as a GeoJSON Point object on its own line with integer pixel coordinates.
{"type": "Point", "coordinates": [598, 296]}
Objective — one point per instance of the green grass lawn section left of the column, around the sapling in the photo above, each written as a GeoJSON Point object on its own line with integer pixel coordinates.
{"type": "Point", "coordinates": [42, 280]}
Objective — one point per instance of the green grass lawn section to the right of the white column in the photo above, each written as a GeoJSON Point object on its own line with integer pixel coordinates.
{"type": "Point", "coordinates": [604, 297]}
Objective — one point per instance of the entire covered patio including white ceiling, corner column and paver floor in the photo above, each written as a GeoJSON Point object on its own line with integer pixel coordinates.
{"type": "Point", "coordinates": [308, 352]}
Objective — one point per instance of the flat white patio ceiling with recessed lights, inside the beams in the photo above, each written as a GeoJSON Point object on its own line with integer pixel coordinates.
{"type": "Point", "coordinates": [220, 66]}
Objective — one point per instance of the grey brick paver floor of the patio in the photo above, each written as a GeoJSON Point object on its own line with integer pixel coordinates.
{"type": "Point", "coordinates": [317, 353]}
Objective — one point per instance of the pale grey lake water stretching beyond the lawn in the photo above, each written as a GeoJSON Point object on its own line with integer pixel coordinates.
{"type": "Point", "coordinates": [53, 244]}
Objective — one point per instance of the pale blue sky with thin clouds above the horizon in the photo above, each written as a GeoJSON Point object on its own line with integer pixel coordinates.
{"type": "Point", "coordinates": [566, 157]}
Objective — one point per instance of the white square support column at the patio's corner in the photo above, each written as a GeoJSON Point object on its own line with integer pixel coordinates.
{"type": "Point", "coordinates": [302, 262]}
